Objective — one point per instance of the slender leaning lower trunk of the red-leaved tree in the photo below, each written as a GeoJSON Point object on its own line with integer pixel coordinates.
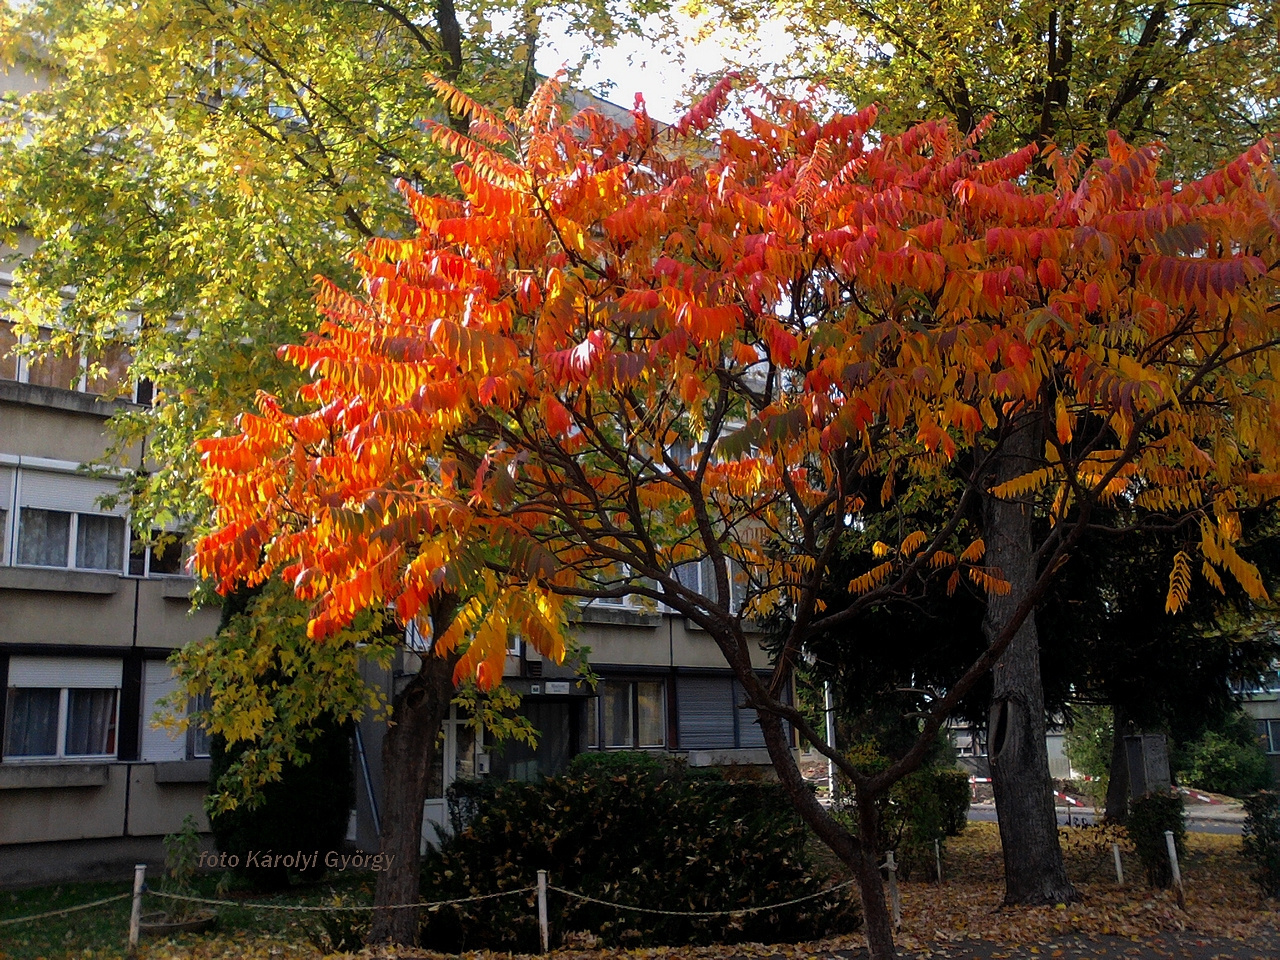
{"type": "Point", "coordinates": [860, 857]}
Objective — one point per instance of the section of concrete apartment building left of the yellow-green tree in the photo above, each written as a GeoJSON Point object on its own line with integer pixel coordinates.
{"type": "Point", "coordinates": [88, 618]}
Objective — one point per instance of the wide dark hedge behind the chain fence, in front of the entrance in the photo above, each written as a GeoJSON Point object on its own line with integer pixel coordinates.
{"type": "Point", "coordinates": [684, 842]}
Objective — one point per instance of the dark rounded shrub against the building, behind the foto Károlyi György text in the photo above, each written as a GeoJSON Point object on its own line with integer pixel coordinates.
{"type": "Point", "coordinates": [307, 811]}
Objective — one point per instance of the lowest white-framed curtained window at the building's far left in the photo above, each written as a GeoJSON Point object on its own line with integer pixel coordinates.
{"type": "Point", "coordinates": [62, 708]}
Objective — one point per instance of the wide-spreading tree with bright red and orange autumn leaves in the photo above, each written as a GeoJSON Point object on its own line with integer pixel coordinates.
{"type": "Point", "coordinates": [628, 349]}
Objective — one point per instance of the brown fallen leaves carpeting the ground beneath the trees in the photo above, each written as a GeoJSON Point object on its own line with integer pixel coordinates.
{"type": "Point", "coordinates": [940, 921]}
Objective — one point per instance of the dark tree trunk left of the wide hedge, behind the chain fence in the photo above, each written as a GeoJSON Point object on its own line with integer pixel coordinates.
{"type": "Point", "coordinates": [418, 714]}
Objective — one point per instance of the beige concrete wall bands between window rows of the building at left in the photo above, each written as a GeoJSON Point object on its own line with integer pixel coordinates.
{"type": "Point", "coordinates": [77, 820]}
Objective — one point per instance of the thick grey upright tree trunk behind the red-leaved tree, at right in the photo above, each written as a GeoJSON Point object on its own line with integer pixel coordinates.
{"type": "Point", "coordinates": [1035, 872]}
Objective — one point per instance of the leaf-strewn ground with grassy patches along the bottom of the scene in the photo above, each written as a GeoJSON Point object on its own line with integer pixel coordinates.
{"type": "Point", "coordinates": [961, 920]}
